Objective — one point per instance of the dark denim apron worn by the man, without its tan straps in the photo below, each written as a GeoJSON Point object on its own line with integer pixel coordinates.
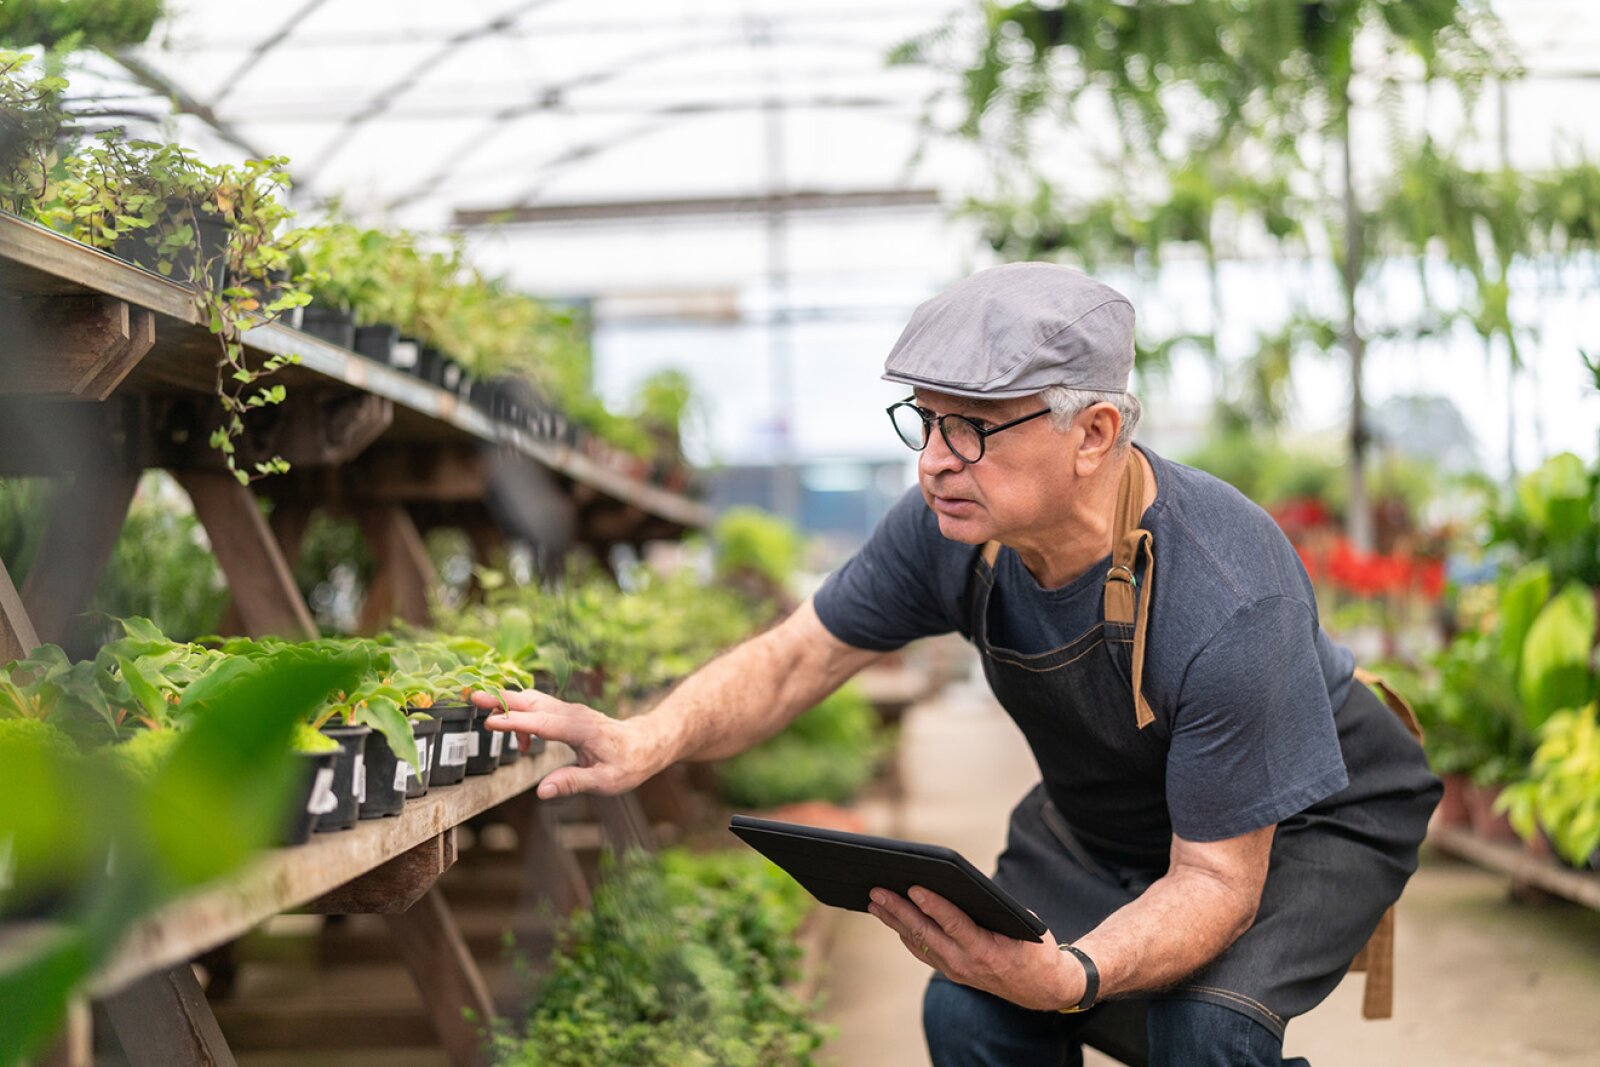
{"type": "Point", "coordinates": [1335, 868]}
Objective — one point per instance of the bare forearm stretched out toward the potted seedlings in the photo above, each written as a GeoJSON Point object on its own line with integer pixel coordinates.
{"type": "Point", "coordinates": [751, 692]}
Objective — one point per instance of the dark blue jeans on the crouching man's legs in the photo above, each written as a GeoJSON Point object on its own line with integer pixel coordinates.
{"type": "Point", "coordinates": [967, 1028]}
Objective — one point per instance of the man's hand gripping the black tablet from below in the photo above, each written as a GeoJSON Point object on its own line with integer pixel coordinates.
{"type": "Point", "coordinates": [938, 933]}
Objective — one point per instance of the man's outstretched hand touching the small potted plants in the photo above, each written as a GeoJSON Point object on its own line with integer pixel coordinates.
{"type": "Point", "coordinates": [614, 756]}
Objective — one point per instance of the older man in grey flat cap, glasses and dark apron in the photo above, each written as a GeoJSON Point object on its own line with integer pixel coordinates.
{"type": "Point", "coordinates": [1225, 813]}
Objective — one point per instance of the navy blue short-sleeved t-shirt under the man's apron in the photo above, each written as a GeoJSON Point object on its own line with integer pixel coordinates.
{"type": "Point", "coordinates": [1239, 673]}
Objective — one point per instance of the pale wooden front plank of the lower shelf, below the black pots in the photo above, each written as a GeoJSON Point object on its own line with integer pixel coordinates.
{"type": "Point", "coordinates": [290, 877]}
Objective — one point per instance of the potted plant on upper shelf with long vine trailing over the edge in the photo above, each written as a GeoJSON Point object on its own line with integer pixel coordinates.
{"type": "Point", "coordinates": [215, 228]}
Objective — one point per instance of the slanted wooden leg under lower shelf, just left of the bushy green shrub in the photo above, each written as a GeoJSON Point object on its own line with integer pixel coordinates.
{"type": "Point", "coordinates": [447, 977]}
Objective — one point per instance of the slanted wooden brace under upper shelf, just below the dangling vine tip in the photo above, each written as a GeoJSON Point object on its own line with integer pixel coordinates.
{"type": "Point", "coordinates": [260, 578]}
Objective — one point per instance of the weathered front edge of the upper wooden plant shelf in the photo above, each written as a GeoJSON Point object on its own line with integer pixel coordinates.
{"type": "Point", "coordinates": [38, 262]}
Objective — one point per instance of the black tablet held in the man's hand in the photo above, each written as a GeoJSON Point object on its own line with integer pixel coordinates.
{"type": "Point", "coordinates": [841, 869]}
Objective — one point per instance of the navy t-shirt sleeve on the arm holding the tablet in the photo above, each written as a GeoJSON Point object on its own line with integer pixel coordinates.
{"type": "Point", "coordinates": [1254, 737]}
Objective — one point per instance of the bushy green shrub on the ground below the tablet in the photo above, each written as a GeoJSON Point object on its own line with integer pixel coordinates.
{"type": "Point", "coordinates": [678, 964]}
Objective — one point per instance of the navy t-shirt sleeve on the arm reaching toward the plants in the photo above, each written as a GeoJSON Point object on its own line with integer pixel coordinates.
{"type": "Point", "coordinates": [898, 588]}
